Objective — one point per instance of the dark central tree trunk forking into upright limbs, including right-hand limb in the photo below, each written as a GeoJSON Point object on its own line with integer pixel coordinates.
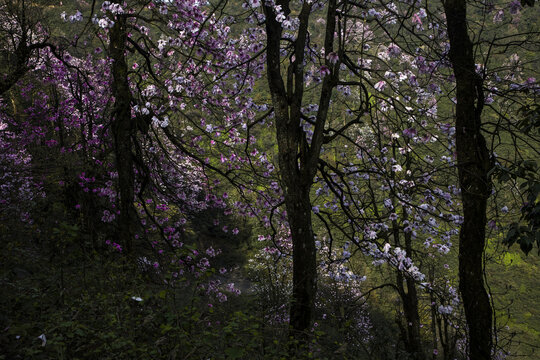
{"type": "Point", "coordinates": [298, 160]}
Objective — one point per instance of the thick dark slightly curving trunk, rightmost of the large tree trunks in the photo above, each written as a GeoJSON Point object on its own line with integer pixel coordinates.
{"type": "Point", "coordinates": [473, 163]}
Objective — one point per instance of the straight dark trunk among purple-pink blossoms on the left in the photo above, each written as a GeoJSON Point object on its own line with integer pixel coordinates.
{"type": "Point", "coordinates": [122, 127]}
